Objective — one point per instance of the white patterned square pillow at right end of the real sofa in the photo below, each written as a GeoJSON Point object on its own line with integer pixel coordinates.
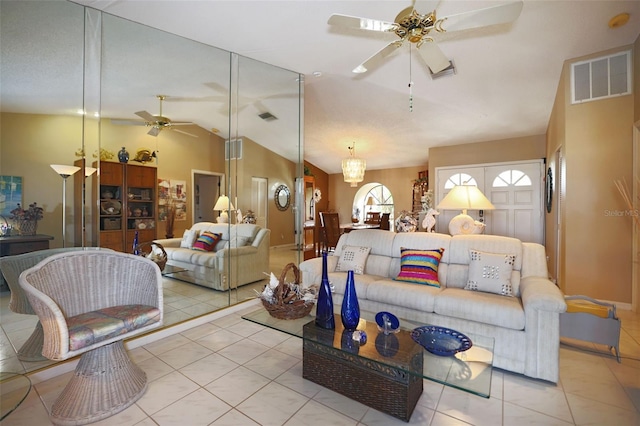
{"type": "Point", "coordinates": [491, 272]}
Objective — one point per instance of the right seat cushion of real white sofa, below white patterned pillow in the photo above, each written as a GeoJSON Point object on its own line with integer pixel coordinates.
{"type": "Point", "coordinates": [481, 307]}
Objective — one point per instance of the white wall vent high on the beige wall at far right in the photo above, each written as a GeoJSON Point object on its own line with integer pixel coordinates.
{"type": "Point", "coordinates": [601, 78]}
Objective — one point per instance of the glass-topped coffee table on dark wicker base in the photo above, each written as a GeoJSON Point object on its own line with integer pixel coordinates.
{"type": "Point", "coordinates": [386, 372]}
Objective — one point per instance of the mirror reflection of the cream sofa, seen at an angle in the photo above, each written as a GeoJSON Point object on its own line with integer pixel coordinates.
{"type": "Point", "coordinates": [240, 257]}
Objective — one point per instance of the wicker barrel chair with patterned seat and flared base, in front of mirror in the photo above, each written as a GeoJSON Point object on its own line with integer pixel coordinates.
{"type": "Point", "coordinates": [88, 303]}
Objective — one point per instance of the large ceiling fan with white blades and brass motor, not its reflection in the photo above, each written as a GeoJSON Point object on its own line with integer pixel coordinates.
{"type": "Point", "coordinates": [417, 28]}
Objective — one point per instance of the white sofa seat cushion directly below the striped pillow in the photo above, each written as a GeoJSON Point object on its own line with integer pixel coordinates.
{"type": "Point", "coordinates": [395, 293]}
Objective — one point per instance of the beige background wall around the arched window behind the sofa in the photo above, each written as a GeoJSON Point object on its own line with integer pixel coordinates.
{"type": "Point", "coordinates": [398, 181]}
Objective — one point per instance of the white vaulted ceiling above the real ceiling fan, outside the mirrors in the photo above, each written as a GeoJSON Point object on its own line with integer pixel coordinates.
{"type": "Point", "coordinates": [504, 87]}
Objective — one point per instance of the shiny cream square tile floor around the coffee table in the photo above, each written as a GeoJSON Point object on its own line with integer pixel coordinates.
{"type": "Point", "coordinates": [232, 372]}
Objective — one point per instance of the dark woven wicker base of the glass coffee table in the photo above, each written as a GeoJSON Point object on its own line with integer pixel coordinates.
{"type": "Point", "coordinates": [373, 384]}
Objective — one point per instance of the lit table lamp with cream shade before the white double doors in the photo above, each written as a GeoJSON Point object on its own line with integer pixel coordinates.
{"type": "Point", "coordinates": [465, 197]}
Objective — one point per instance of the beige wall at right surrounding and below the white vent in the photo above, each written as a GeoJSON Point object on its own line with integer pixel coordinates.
{"type": "Point", "coordinates": [596, 138]}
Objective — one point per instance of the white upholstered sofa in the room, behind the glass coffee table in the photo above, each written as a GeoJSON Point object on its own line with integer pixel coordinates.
{"type": "Point", "coordinates": [525, 326]}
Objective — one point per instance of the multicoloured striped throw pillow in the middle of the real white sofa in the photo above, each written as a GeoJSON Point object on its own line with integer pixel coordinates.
{"type": "Point", "coordinates": [420, 266]}
